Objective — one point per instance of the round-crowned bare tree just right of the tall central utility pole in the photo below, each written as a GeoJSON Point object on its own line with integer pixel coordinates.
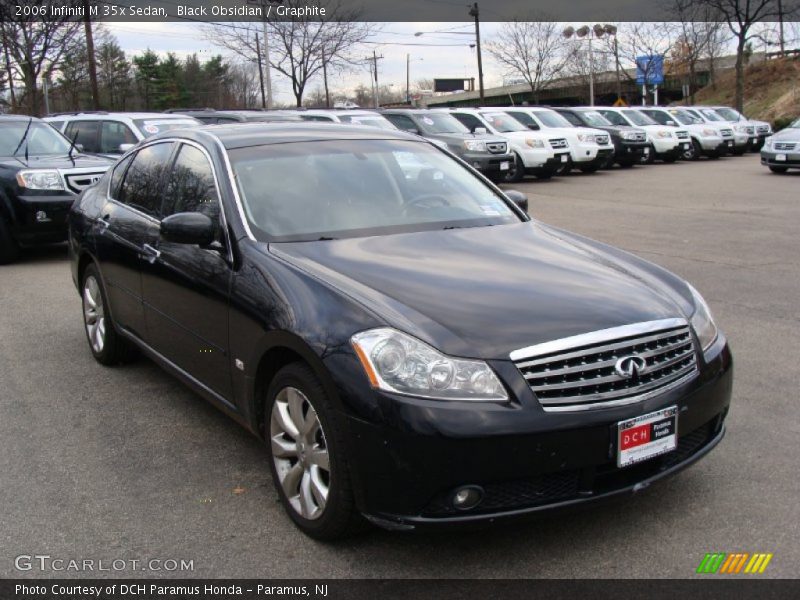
{"type": "Point", "coordinates": [533, 50]}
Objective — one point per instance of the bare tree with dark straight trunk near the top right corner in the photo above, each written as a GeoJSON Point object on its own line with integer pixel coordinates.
{"type": "Point", "coordinates": [741, 16]}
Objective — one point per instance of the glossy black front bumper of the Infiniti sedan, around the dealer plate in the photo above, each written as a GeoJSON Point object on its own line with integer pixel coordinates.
{"type": "Point", "coordinates": [525, 460]}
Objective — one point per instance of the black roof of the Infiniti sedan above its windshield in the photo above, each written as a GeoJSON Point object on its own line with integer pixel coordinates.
{"type": "Point", "coordinates": [242, 135]}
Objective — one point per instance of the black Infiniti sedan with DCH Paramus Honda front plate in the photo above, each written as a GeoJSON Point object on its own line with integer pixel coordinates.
{"type": "Point", "coordinates": [413, 349]}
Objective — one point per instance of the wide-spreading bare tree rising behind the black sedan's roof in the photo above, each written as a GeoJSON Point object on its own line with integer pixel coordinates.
{"type": "Point", "coordinates": [298, 46]}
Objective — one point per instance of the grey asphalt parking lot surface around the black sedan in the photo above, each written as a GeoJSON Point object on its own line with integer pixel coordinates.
{"type": "Point", "coordinates": [126, 463]}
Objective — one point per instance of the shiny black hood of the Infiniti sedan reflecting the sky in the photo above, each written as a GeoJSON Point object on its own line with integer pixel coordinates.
{"type": "Point", "coordinates": [483, 292]}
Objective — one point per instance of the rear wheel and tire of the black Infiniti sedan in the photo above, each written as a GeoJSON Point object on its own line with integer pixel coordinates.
{"type": "Point", "coordinates": [107, 345]}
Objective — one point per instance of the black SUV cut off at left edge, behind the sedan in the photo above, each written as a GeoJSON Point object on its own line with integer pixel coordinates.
{"type": "Point", "coordinates": [40, 175]}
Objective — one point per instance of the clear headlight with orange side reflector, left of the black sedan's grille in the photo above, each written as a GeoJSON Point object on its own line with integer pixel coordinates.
{"type": "Point", "coordinates": [396, 362]}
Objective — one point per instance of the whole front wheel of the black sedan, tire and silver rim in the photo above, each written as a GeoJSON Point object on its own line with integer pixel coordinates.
{"type": "Point", "coordinates": [308, 456]}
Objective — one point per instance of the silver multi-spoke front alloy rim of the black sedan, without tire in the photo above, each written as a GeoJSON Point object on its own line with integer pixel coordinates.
{"type": "Point", "coordinates": [300, 453]}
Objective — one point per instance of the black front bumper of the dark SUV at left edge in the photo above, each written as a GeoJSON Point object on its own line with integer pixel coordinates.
{"type": "Point", "coordinates": [41, 219]}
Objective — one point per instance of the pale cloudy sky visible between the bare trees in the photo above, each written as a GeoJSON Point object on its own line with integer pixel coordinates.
{"type": "Point", "coordinates": [426, 62]}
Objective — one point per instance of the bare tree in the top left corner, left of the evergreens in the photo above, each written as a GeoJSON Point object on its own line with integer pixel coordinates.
{"type": "Point", "coordinates": [37, 47]}
